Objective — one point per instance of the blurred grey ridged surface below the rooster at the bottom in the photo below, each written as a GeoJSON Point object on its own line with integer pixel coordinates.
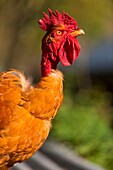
{"type": "Point", "coordinates": [54, 156]}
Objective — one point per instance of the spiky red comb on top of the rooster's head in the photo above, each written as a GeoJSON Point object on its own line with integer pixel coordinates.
{"type": "Point", "coordinates": [54, 19]}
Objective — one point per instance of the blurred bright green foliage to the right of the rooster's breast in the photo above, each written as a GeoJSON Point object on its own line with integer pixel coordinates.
{"type": "Point", "coordinates": [83, 123]}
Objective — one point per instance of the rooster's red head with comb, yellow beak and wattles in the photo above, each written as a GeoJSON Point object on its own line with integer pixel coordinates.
{"type": "Point", "coordinates": [60, 42]}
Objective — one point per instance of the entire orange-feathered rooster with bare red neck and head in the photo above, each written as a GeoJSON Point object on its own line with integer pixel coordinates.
{"type": "Point", "coordinates": [26, 111]}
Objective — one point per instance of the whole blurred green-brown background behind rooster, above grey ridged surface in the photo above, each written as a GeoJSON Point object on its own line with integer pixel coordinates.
{"type": "Point", "coordinates": [85, 120]}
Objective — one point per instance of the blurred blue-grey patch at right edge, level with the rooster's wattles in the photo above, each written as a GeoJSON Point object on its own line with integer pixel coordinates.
{"type": "Point", "coordinates": [101, 58]}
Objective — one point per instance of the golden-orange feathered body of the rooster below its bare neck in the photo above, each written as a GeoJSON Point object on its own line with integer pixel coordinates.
{"type": "Point", "coordinates": [26, 113]}
